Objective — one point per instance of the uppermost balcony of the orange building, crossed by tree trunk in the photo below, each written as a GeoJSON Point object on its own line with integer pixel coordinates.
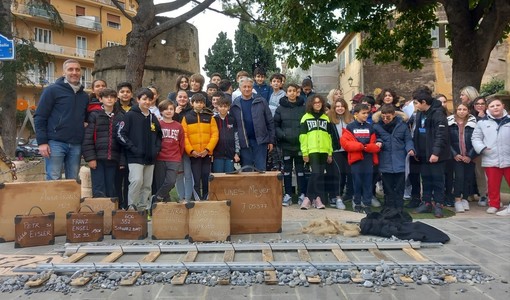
{"type": "Point", "coordinates": [85, 22]}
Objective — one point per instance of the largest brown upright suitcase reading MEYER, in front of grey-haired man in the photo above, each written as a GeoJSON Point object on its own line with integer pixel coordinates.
{"type": "Point", "coordinates": [256, 200]}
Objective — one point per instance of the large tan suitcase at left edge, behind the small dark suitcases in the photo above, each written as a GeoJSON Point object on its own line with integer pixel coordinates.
{"type": "Point", "coordinates": [58, 196]}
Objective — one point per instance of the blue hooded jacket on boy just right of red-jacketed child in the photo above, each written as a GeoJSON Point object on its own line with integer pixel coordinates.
{"type": "Point", "coordinates": [395, 146]}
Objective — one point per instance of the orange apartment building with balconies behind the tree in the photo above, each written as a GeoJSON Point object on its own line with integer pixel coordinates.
{"type": "Point", "coordinates": [89, 25]}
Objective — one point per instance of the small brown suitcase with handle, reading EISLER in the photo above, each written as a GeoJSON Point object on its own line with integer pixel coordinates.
{"type": "Point", "coordinates": [34, 230]}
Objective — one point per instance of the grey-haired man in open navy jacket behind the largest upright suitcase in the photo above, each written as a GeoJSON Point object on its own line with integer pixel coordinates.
{"type": "Point", "coordinates": [255, 125]}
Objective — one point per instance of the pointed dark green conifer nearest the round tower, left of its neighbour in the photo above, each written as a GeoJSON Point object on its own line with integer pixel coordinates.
{"type": "Point", "coordinates": [219, 58]}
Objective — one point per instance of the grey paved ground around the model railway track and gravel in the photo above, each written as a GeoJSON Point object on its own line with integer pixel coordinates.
{"type": "Point", "coordinates": [476, 238]}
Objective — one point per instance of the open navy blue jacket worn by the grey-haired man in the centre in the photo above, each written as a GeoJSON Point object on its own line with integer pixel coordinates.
{"type": "Point", "coordinates": [262, 121]}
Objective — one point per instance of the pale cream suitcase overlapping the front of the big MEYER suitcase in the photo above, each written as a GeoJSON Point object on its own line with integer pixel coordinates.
{"type": "Point", "coordinates": [209, 221]}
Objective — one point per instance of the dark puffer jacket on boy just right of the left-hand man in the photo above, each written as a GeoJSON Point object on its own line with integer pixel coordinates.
{"type": "Point", "coordinates": [100, 140]}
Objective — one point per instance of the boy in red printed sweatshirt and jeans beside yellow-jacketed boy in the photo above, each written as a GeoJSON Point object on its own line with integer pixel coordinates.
{"type": "Point", "coordinates": [170, 156]}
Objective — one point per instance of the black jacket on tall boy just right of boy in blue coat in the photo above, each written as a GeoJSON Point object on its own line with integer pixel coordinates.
{"type": "Point", "coordinates": [436, 130]}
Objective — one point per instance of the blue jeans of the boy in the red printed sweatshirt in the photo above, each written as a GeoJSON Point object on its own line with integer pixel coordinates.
{"type": "Point", "coordinates": [165, 177]}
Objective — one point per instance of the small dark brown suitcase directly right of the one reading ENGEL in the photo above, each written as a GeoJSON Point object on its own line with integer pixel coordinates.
{"type": "Point", "coordinates": [129, 224]}
